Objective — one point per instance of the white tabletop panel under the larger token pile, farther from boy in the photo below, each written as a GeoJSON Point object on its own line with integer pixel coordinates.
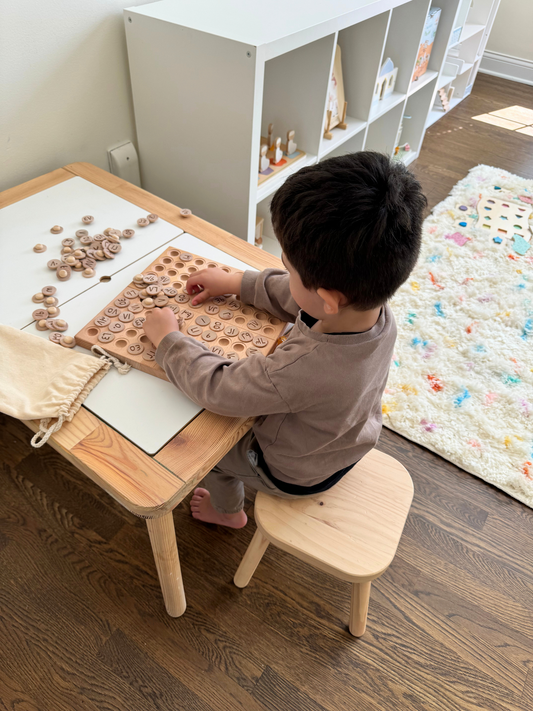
{"type": "Point", "coordinates": [26, 223]}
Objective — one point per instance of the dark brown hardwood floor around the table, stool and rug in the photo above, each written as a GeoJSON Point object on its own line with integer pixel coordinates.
{"type": "Point", "coordinates": [82, 624]}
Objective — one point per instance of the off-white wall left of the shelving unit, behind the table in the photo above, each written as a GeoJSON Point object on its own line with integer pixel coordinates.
{"type": "Point", "coordinates": [64, 84]}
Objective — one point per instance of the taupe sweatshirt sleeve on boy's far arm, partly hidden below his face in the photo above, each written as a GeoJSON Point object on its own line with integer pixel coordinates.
{"type": "Point", "coordinates": [269, 290]}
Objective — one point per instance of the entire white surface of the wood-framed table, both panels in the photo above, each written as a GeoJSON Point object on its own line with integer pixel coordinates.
{"type": "Point", "coordinates": [144, 409]}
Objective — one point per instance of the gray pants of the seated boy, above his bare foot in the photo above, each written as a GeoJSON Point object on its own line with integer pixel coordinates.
{"type": "Point", "coordinates": [239, 468]}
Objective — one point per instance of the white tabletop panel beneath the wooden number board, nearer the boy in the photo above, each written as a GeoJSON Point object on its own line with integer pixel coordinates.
{"type": "Point", "coordinates": [143, 408]}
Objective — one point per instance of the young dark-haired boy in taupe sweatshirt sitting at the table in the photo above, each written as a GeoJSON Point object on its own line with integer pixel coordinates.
{"type": "Point", "coordinates": [350, 231]}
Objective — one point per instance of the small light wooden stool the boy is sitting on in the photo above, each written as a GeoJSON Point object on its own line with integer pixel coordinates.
{"type": "Point", "coordinates": [351, 531]}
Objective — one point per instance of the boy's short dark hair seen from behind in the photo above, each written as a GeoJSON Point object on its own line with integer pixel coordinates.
{"type": "Point", "coordinates": [353, 224]}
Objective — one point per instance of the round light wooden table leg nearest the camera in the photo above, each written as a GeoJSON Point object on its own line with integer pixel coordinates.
{"type": "Point", "coordinates": [165, 549]}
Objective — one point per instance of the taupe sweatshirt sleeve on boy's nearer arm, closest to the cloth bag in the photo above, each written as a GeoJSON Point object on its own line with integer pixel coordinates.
{"type": "Point", "coordinates": [234, 388]}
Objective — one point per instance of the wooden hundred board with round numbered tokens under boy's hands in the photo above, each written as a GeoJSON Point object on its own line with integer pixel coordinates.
{"type": "Point", "coordinates": [222, 323]}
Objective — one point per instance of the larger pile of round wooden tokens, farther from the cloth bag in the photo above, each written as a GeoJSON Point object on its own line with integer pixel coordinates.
{"type": "Point", "coordinates": [92, 249]}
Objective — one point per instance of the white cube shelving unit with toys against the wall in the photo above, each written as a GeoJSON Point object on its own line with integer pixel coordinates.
{"type": "Point", "coordinates": [208, 77]}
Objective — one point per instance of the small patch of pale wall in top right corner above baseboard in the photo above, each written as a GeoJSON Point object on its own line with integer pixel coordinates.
{"type": "Point", "coordinates": [512, 33]}
